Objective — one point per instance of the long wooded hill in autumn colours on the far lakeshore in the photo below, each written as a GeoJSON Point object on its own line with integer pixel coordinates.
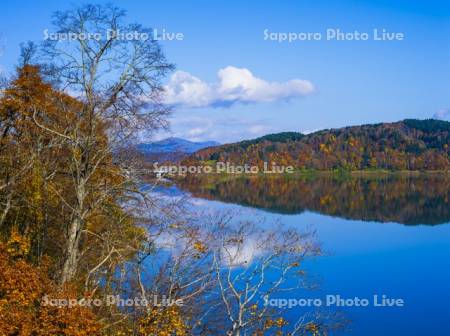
{"type": "Point", "coordinates": [405, 145]}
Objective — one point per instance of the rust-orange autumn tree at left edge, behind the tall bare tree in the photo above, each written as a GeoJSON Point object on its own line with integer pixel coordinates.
{"type": "Point", "coordinates": [30, 159]}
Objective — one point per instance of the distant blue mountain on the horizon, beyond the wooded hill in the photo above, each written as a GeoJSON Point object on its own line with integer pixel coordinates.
{"type": "Point", "coordinates": [172, 148]}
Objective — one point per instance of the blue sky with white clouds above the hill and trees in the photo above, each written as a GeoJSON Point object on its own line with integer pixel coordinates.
{"type": "Point", "coordinates": [236, 78]}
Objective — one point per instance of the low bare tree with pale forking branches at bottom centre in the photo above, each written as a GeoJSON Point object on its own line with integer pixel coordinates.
{"type": "Point", "coordinates": [253, 264]}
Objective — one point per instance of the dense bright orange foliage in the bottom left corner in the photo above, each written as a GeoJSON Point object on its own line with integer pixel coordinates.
{"type": "Point", "coordinates": [22, 310]}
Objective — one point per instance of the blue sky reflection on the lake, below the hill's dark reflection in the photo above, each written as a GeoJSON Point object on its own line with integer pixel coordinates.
{"type": "Point", "coordinates": [367, 258]}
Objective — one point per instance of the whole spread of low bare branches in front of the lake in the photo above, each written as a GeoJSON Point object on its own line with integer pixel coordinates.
{"type": "Point", "coordinates": [226, 271]}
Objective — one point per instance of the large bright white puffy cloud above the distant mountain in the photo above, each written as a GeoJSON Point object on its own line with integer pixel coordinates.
{"type": "Point", "coordinates": [233, 85]}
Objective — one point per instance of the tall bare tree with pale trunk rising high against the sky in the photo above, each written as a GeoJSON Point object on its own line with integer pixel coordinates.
{"type": "Point", "coordinates": [115, 70]}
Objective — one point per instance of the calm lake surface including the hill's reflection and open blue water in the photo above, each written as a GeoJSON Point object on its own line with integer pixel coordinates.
{"type": "Point", "coordinates": [381, 235]}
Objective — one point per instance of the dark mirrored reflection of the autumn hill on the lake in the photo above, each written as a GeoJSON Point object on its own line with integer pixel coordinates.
{"type": "Point", "coordinates": [407, 200]}
